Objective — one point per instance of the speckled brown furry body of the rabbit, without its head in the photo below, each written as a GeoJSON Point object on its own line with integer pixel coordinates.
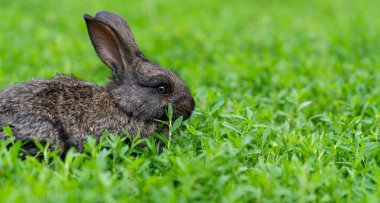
{"type": "Point", "coordinates": [65, 110]}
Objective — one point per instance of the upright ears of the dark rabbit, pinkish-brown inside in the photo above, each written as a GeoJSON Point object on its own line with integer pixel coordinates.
{"type": "Point", "coordinates": [113, 42]}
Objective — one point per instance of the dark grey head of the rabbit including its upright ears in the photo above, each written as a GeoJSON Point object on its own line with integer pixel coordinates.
{"type": "Point", "coordinates": [140, 87]}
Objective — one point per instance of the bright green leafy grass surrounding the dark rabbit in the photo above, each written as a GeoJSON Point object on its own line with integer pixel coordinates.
{"type": "Point", "coordinates": [287, 96]}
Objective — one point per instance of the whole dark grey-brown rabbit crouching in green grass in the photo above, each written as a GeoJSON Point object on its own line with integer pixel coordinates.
{"type": "Point", "coordinates": [66, 110]}
